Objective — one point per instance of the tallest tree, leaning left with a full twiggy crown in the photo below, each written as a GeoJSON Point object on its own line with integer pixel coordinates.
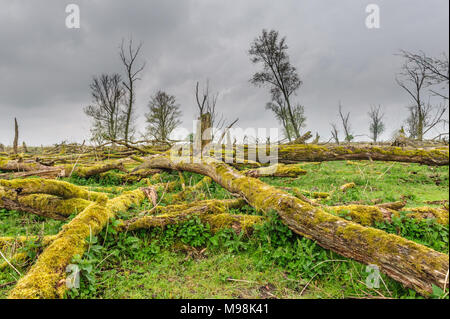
{"type": "Point", "coordinates": [278, 73]}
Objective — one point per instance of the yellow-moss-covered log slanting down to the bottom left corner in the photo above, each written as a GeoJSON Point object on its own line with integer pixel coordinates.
{"type": "Point", "coordinates": [46, 278]}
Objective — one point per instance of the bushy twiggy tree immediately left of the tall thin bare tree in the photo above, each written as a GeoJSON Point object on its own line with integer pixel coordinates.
{"type": "Point", "coordinates": [106, 110]}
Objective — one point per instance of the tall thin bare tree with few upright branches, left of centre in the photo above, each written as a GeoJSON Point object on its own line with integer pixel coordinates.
{"type": "Point", "coordinates": [128, 57]}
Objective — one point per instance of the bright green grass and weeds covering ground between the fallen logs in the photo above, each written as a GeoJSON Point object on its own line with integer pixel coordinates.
{"type": "Point", "coordinates": [190, 261]}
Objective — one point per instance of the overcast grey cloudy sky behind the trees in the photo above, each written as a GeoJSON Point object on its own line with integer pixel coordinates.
{"type": "Point", "coordinates": [46, 68]}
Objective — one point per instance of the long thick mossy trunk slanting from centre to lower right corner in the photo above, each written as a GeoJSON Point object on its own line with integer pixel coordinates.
{"type": "Point", "coordinates": [409, 263]}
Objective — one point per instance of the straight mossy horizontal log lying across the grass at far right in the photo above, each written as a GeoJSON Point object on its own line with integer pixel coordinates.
{"type": "Point", "coordinates": [319, 153]}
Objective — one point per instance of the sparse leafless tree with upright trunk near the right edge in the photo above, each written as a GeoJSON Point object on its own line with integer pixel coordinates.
{"type": "Point", "coordinates": [414, 77]}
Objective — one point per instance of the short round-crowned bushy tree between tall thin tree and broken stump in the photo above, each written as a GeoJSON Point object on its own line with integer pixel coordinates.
{"type": "Point", "coordinates": [164, 116]}
